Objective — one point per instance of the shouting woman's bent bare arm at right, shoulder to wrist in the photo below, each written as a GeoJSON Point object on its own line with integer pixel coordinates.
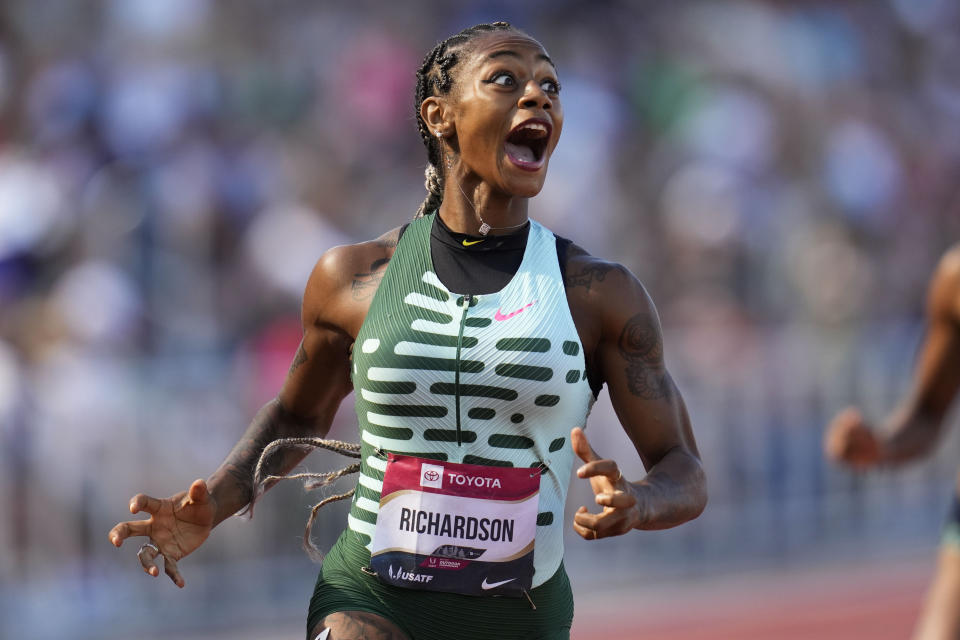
{"type": "Point", "coordinates": [648, 404]}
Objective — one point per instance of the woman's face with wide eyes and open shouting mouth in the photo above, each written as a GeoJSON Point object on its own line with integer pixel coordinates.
{"type": "Point", "coordinates": [506, 103]}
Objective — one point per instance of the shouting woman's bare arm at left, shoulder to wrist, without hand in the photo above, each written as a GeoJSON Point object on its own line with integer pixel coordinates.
{"type": "Point", "coordinates": [318, 380]}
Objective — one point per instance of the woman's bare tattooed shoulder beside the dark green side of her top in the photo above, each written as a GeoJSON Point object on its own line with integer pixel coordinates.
{"type": "Point", "coordinates": [344, 280]}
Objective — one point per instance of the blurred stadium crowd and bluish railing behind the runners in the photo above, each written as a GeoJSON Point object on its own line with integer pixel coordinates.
{"type": "Point", "coordinates": [781, 175]}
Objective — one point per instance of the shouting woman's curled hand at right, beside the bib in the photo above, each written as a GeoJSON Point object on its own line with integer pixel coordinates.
{"type": "Point", "coordinates": [611, 491]}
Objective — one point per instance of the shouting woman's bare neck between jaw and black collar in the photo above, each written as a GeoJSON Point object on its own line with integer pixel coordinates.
{"type": "Point", "coordinates": [466, 202]}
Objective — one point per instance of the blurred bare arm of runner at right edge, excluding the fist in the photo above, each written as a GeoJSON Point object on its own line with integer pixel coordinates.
{"type": "Point", "coordinates": [914, 427]}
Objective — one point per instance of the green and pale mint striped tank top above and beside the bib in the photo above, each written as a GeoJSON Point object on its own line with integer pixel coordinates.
{"type": "Point", "coordinates": [494, 379]}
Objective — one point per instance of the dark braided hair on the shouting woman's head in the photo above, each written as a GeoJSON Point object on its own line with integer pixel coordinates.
{"type": "Point", "coordinates": [434, 79]}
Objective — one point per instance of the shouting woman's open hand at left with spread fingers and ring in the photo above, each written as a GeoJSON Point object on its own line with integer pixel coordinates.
{"type": "Point", "coordinates": [177, 525]}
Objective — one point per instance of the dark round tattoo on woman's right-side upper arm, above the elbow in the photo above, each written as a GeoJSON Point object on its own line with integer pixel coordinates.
{"type": "Point", "coordinates": [641, 346]}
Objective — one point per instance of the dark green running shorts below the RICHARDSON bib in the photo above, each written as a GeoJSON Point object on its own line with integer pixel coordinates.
{"type": "Point", "coordinates": [432, 615]}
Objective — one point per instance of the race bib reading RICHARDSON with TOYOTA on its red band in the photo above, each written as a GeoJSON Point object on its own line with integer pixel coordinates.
{"type": "Point", "coordinates": [461, 528]}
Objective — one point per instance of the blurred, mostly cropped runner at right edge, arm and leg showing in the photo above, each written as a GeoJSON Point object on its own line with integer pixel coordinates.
{"type": "Point", "coordinates": [912, 431]}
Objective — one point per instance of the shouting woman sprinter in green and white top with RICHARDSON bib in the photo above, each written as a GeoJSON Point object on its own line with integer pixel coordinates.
{"type": "Point", "coordinates": [476, 342]}
